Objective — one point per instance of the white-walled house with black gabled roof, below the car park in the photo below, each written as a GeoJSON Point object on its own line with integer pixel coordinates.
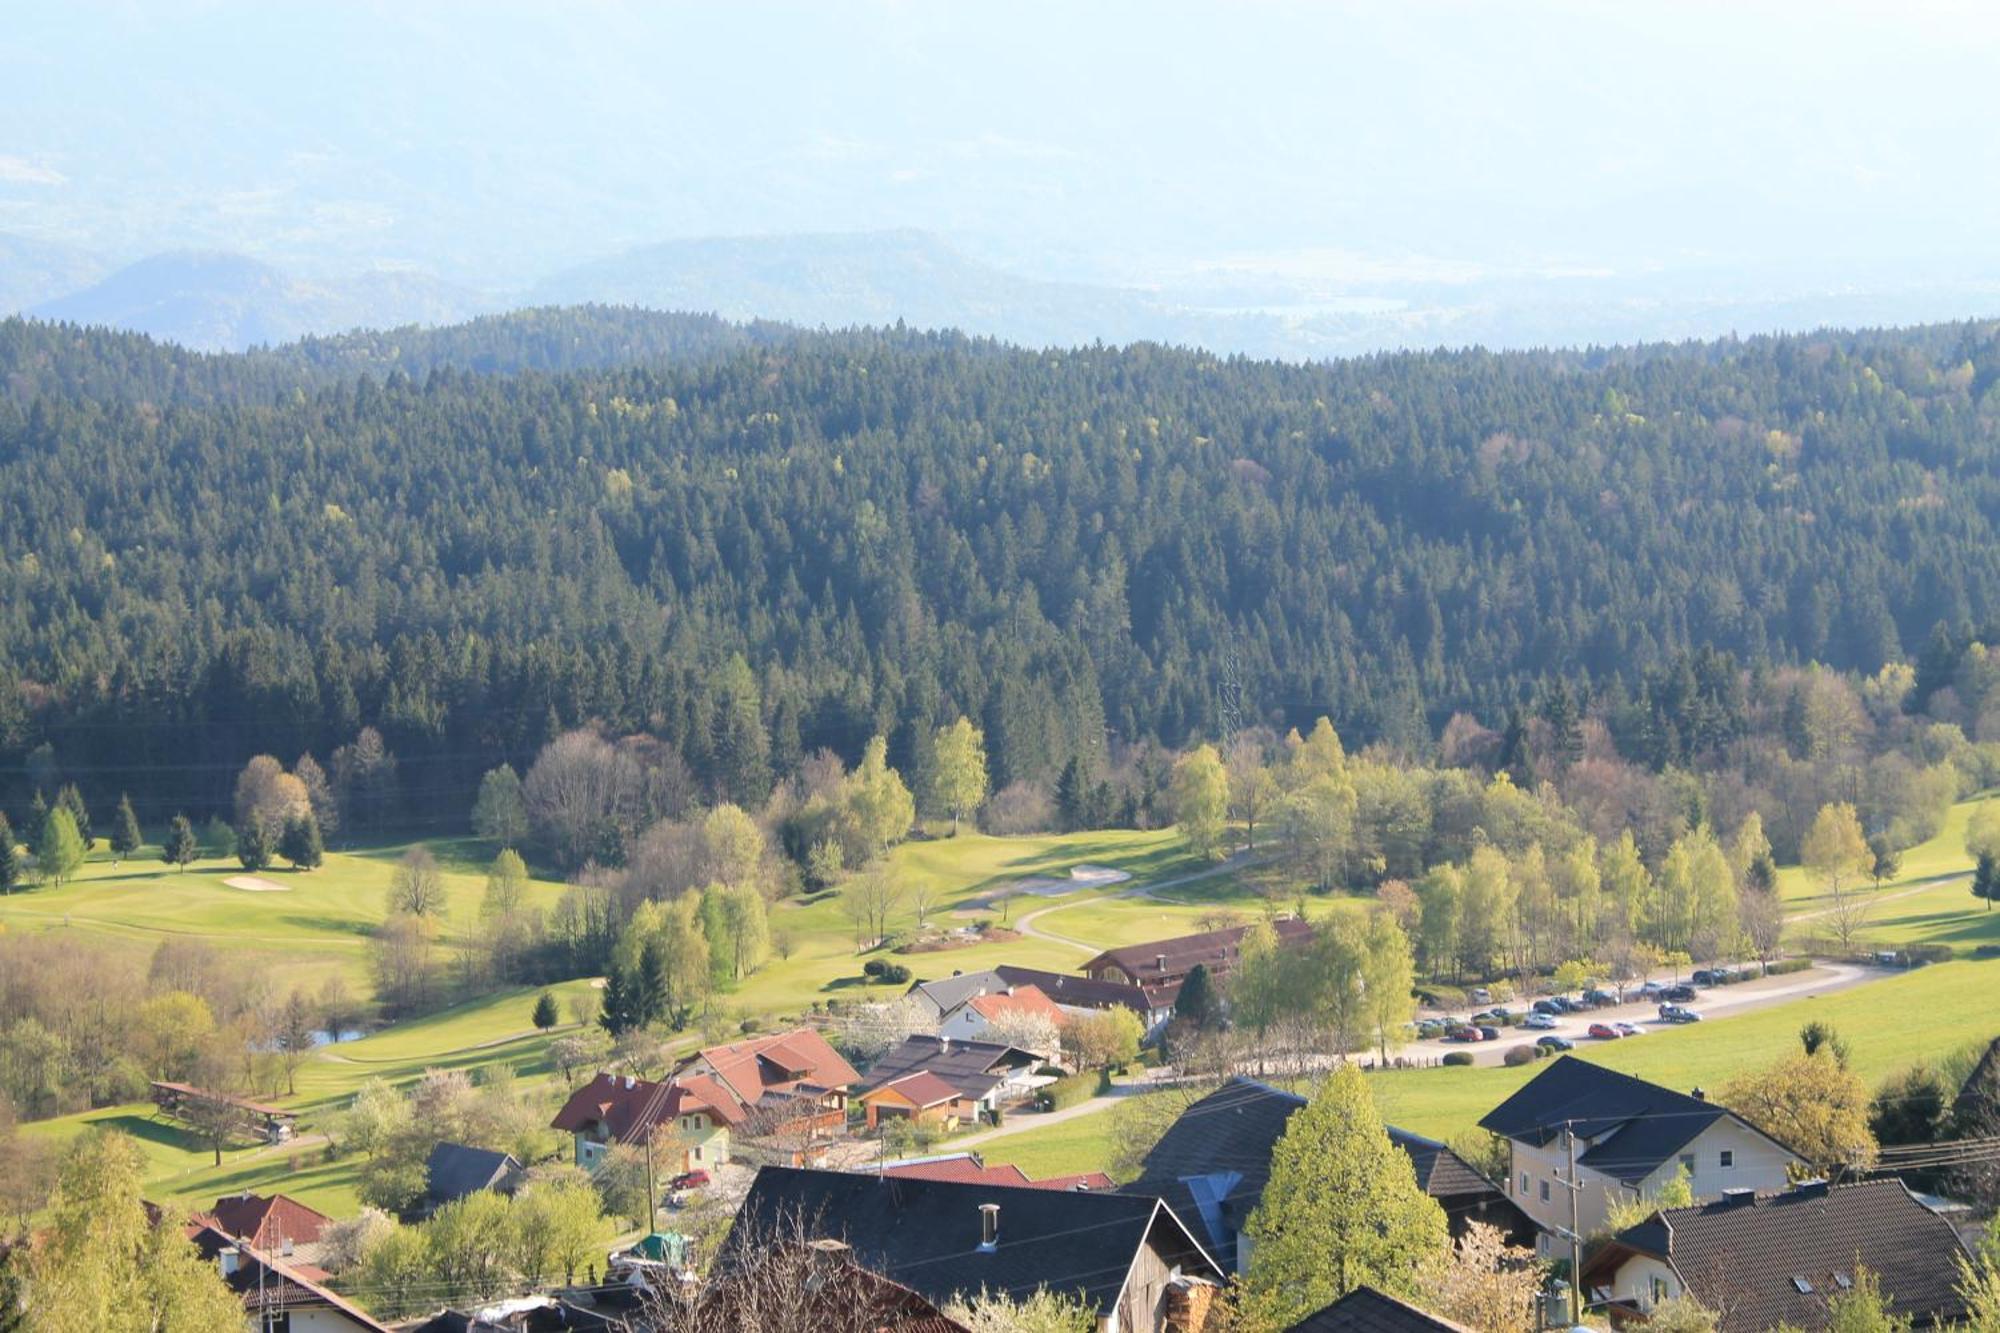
{"type": "Point", "coordinates": [1629, 1140]}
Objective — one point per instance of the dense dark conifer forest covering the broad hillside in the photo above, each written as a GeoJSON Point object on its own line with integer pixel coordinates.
{"type": "Point", "coordinates": [757, 543]}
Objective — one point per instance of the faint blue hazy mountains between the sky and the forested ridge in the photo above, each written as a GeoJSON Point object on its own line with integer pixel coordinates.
{"type": "Point", "coordinates": [217, 301]}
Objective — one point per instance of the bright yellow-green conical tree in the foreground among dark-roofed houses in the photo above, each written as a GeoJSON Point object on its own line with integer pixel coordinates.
{"type": "Point", "coordinates": [1343, 1210]}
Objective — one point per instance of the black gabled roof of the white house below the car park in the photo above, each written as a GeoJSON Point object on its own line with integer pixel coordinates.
{"type": "Point", "coordinates": [1633, 1128]}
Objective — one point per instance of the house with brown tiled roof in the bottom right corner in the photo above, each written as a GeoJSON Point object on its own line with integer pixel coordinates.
{"type": "Point", "coordinates": [1761, 1260]}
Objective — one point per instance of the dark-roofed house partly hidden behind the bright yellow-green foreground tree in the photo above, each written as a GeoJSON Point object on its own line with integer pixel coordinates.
{"type": "Point", "coordinates": [1213, 1166]}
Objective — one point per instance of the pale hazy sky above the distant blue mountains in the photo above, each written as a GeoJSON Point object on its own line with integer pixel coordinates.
{"type": "Point", "coordinates": [1131, 141]}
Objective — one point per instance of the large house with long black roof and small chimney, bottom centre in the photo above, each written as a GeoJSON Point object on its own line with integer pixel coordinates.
{"type": "Point", "coordinates": [1131, 1260]}
